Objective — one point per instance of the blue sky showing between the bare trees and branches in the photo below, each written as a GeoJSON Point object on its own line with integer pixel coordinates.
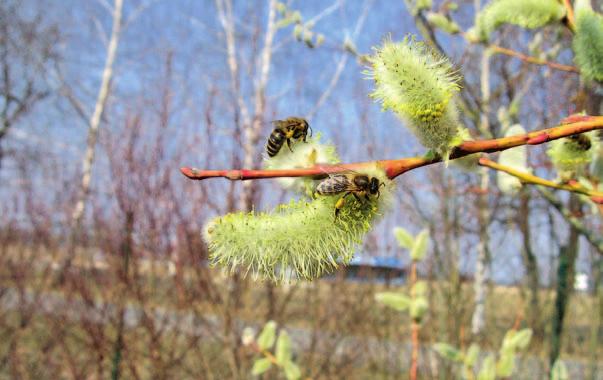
{"type": "Point", "coordinates": [191, 33]}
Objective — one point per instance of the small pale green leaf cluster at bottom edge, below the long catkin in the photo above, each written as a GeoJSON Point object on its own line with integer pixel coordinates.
{"type": "Point", "coordinates": [281, 357]}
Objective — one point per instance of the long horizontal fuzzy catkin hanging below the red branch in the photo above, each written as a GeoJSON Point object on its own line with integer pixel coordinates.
{"type": "Point", "coordinates": [302, 239]}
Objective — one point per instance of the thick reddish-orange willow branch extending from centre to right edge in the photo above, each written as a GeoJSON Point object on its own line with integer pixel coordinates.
{"type": "Point", "coordinates": [393, 168]}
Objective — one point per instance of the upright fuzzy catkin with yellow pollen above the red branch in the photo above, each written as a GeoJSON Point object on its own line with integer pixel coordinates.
{"type": "Point", "coordinates": [418, 84]}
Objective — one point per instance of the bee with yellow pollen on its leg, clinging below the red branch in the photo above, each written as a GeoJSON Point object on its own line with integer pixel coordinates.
{"type": "Point", "coordinates": [359, 185]}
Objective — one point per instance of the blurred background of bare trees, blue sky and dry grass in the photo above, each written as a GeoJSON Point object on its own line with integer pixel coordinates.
{"type": "Point", "coordinates": [103, 269]}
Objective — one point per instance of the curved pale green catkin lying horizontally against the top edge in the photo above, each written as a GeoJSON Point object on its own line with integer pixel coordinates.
{"type": "Point", "coordinates": [529, 14]}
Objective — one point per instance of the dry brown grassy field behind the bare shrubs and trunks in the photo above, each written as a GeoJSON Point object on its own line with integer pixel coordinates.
{"type": "Point", "coordinates": [335, 308]}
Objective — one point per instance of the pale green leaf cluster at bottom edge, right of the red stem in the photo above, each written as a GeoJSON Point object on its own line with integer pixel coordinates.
{"type": "Point", "coordinates": [491, 368]}
